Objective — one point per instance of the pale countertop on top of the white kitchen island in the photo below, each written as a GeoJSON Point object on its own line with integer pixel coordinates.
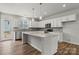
{"type": "Point", "coordinates": [40, 33]}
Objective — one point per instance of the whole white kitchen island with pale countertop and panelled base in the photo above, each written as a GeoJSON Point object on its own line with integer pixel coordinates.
{"type": "Point", "coordinates": [46, 43]}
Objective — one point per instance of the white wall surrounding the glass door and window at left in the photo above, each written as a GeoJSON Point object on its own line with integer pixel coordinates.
{"type": "Point", "coordinates": [15, 21]}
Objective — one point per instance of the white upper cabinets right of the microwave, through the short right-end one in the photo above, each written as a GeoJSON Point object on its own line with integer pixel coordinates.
{"type": "Point", "coordinates": [57, 22]}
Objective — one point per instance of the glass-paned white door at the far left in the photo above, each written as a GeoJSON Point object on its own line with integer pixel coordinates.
{"type": "Point", "coordinates": [5, 29]}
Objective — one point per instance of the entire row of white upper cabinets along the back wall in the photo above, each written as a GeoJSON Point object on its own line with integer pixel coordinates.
{"type": "Point", "coordinates": [55, 22]}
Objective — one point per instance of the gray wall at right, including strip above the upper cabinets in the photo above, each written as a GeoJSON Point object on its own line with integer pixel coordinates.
{"type": "Point", "coordinates": [70, 29]}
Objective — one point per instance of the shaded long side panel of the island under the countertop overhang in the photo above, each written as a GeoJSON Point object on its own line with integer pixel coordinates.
{"type": "Point", "coordinates": [35, 42]}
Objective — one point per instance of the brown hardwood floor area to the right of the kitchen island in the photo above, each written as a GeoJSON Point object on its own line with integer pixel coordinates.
{"type": "Point", "coordinates": [65, 48]}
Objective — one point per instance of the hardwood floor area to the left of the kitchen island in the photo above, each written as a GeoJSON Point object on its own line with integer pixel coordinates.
{"type": "Point", "coordinates": [17, 48]}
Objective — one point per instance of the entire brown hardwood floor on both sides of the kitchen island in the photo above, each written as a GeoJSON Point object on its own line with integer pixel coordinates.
{"type": "Point", "coordinates": [17, 48]}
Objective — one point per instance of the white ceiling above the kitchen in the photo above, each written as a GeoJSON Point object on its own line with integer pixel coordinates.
{"type": "Point", "coordinates": [25, 9]}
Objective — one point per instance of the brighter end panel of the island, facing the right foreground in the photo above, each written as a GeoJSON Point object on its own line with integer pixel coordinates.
{"type": "Point", "coordinates": [49, 45]}
